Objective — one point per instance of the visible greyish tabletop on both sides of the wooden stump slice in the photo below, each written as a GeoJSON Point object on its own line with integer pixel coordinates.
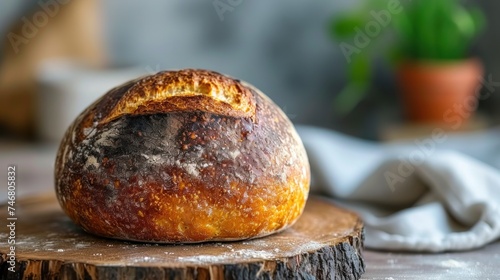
{"type": "Point", "coordinates": [484, 263]}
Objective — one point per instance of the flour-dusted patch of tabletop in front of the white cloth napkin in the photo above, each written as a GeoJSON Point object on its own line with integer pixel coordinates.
{"type": "Point", "coordinates": [483, 263]}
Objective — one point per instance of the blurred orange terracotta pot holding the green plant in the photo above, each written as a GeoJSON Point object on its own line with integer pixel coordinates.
{"type": "Point", "coordinates": [438, 92]}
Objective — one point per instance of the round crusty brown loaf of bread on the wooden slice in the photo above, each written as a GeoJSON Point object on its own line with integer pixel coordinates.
{"type": "Point", "coordinates": [182, 156]}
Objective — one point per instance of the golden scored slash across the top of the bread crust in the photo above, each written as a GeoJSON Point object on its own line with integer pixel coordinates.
{"type": "Point", "coordinates": [173, 91]}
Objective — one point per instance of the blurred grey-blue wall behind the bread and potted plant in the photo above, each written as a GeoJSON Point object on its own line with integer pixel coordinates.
{"type": "Point", "coordinates": [282, 46]}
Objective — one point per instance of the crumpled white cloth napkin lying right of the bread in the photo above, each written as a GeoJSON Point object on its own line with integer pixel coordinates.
{"type": "Point", "coordinates": [436, 194]}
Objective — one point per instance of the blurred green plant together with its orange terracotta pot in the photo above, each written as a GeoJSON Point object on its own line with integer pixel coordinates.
{"type": "Point", "coordinates": [437, 78]}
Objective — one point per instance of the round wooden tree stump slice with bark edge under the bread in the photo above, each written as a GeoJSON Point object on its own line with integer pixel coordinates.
{"type": "Point", "coordinates": [325, 243]}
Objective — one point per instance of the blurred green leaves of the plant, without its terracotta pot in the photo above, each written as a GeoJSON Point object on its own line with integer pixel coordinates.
{"type": "Point", "coordinates": [434, 30]}
